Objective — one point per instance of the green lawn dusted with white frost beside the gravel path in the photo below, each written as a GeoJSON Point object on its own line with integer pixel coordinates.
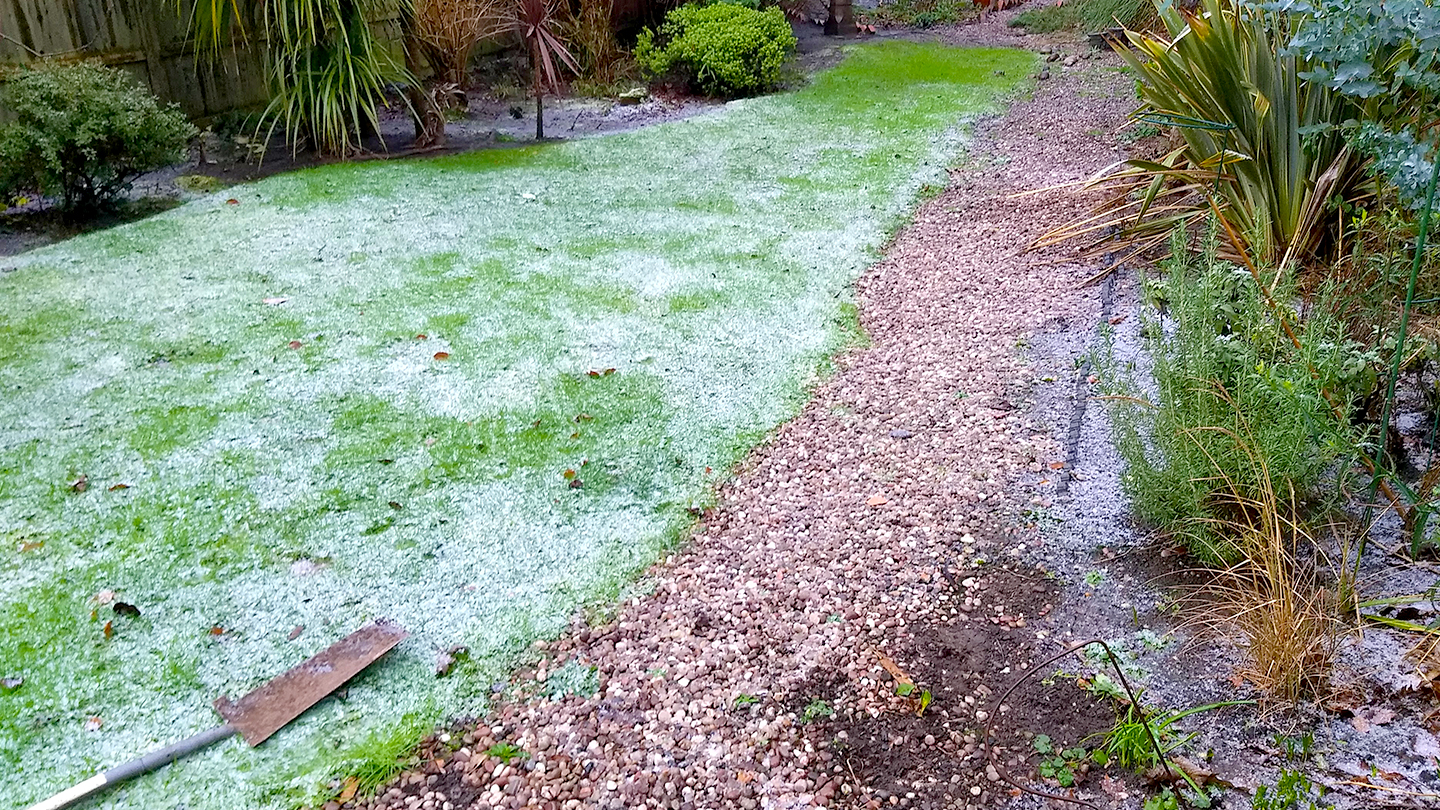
{"type": "Point", "coordinates": [359, 393]}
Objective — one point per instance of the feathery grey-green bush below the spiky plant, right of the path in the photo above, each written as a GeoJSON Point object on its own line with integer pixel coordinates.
{"type": "Point", "coordinates": [1235, 403]}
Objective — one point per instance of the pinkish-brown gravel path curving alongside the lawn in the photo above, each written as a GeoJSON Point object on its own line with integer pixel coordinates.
{"type": "Point", "coordinates": [847, 547]}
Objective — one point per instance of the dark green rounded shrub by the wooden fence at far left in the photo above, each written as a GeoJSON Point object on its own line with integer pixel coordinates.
{"type": "Point", "coordinates": [84, 133]}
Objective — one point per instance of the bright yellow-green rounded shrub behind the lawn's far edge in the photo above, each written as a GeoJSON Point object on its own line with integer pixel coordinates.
{"type": "Point", "coordinates": [722, 50]}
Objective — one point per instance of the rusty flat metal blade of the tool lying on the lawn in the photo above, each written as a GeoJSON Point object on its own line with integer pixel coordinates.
{"type": "Point", "coordinates": [270, 708]}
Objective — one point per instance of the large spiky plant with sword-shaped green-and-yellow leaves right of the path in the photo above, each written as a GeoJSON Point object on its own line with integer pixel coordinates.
{"type": "Point", "coordinates": [1259, 142]}
